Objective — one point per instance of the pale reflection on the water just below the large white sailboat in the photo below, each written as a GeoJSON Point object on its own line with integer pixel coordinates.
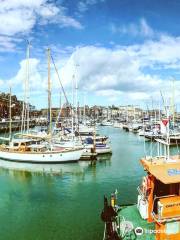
{"type": "Point", "coordinates": [27, 170]}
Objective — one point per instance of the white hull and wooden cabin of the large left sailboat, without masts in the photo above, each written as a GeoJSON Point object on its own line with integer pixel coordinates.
{"type": "Point", "coordinates": [30, 150]}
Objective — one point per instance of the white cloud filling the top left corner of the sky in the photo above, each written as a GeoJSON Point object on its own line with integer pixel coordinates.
{"type": "Point", "coordinates": [19, 17]}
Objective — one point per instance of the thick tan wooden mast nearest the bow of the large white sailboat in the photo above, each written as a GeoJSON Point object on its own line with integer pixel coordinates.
{"type": "Point", "coordinates": [49, 92]}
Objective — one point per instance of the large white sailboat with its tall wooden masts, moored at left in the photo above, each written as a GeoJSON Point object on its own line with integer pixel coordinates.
{"type": "Point", "coordinates": [34, 149]}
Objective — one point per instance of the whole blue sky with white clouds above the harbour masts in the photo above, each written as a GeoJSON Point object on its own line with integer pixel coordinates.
{"type": "Point", "coordinates": [126, 50]}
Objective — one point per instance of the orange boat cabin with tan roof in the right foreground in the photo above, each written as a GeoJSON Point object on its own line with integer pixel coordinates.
{"type": "Point", "coordinates": [159, 196]}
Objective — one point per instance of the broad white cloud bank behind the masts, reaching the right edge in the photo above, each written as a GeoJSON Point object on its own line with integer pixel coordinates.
{"type": "Point", "coordinates": [118, 74]}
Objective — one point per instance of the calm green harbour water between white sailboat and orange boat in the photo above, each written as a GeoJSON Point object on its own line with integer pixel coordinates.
{"type": "Point", "coordinates": [67, 206]}
